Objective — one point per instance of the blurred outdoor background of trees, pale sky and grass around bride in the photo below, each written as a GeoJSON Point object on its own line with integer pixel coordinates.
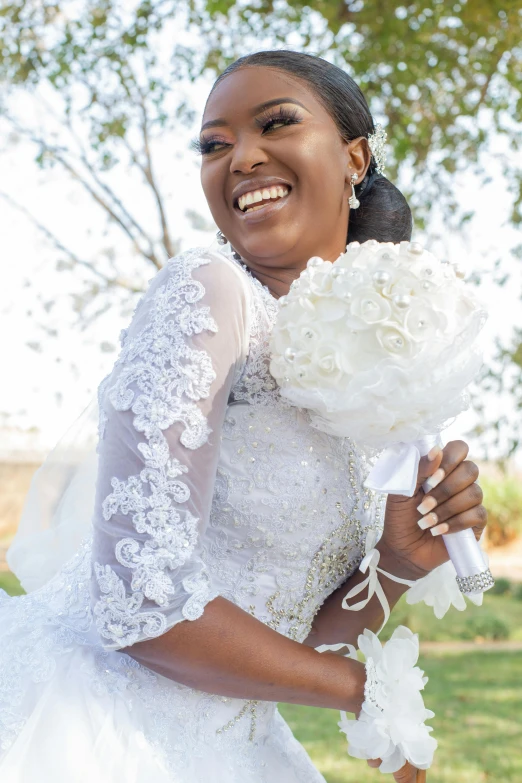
{"type": "Point", "coordinates": [98, 188]}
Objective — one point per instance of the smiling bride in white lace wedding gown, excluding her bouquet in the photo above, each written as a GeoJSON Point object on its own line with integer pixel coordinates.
{"type": "Point", "coordinates": [226, 530]}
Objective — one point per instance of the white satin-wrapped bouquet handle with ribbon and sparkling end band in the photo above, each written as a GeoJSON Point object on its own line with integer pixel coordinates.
{"type": "Point", "coordinates": [395, 472]}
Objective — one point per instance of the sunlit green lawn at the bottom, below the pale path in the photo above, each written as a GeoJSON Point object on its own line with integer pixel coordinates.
{"type": "Point", "coordinates": [476, 699]}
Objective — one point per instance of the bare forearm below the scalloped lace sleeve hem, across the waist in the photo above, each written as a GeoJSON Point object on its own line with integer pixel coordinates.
{"type": "Point", "coordinates": [229, 652]}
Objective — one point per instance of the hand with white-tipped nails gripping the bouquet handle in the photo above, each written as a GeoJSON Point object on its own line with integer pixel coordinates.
{"type": "Point", "coordinates": [455, 503]}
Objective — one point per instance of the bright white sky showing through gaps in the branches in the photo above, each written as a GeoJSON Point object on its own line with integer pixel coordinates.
{"type": "Point", "coordinates": [46, 388]}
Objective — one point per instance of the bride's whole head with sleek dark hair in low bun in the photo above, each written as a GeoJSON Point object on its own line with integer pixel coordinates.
{"type": "Point", "coordinates": [286, 119]}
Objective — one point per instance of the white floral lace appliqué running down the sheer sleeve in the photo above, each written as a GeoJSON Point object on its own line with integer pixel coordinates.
{"type": "Point", "coordinates": [160, 380]}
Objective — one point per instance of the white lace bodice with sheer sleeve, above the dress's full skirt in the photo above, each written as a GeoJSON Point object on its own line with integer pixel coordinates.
{"type": "Point", "coordinates": [209, 482]}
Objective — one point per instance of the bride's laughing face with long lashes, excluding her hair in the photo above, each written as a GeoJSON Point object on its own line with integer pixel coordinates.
{"type": "Point", "coordinates": [292, 144]}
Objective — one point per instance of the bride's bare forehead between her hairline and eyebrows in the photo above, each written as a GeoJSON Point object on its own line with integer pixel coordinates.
{"type": "Point", "coordinates": [253, 85]}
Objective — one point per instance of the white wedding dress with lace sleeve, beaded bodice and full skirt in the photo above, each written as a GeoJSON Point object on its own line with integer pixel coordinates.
{"type": "Point", "coordinates": [209, 484]}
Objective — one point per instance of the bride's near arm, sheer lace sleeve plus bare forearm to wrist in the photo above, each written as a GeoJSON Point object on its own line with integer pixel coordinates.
{"type": "Point", "coordinates": [164, 406]}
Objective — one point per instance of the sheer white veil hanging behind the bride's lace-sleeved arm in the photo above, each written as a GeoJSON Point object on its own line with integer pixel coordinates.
{"type": "Point", "coordinates": [59, 506]}
